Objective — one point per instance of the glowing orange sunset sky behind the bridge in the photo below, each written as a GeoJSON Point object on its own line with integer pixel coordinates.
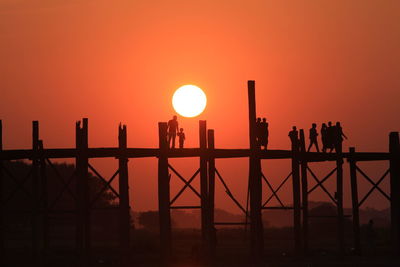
{"type": "Point", "coordinates": [120, 61]}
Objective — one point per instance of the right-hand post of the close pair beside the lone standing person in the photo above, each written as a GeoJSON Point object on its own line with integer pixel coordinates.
{"type": "Point", "coordinates": [304, 189]}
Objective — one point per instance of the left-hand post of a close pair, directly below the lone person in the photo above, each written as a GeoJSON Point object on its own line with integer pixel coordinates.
{"type": "Point", "coordinates": [296, 197]}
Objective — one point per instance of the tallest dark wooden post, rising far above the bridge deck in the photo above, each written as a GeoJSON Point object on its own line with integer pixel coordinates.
{"type": "Point", "coordinates": [256, 227]}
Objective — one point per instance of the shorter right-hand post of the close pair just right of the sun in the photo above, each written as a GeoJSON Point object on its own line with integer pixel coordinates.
{"type": "Point", "coordinates": [211, 191]}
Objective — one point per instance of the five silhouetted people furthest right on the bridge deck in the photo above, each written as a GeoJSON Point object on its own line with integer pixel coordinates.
{"type": "Point", "coordinates": [331, 136]}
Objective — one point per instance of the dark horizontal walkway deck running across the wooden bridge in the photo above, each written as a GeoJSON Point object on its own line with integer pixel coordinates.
{"type": "Point", "coordinates": [185, 152]}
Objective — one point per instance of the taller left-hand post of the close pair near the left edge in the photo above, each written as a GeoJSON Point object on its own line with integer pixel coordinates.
{"type": "Point", "coordinates": [35, 190]}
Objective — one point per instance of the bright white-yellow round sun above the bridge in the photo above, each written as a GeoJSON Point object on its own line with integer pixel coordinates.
{"type": "Point", "coordinates": [189, 101]}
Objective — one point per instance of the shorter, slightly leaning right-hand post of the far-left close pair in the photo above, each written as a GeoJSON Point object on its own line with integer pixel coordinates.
{"type": "Point", "coordinates": [44, 199]}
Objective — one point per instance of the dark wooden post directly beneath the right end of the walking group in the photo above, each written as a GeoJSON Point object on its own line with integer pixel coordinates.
{"type": "Point", "coordinates": [339, 197]}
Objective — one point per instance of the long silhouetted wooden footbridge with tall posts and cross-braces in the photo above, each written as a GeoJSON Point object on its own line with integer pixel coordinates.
{"type": "Point", "coordinates": [300, 174]}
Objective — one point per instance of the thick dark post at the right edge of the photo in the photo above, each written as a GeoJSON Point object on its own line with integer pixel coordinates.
{"type": "Point", "coordinates": [394, 150]}
